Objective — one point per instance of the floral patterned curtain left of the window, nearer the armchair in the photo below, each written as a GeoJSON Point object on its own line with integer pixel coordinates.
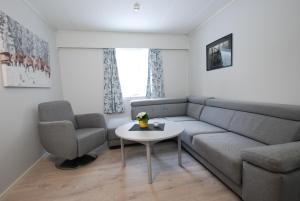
{"type": "Point", "coordinates": [113, 100]}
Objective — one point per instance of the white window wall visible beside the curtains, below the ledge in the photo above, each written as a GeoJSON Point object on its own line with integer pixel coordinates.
{"type": "Point", "coordinates": [82, 77]}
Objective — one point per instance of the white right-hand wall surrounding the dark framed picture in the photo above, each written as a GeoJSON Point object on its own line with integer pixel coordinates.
{"type": "Point", "coordinates": [265, 53]}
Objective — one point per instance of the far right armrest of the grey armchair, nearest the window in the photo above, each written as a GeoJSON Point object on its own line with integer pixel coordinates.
{"type": "Point", "coordinates": [92, 120]}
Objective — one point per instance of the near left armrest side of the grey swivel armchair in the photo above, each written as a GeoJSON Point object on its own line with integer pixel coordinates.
{"type": "Point", "coordinates": [58, 138]}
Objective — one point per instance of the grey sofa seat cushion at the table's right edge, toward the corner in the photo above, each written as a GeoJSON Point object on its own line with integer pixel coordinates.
{"type": "Point", "coordinates": [192, 128]}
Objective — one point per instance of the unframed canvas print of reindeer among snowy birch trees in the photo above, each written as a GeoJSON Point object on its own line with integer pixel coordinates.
{"type": "Point", "coordinates": [24, 57]}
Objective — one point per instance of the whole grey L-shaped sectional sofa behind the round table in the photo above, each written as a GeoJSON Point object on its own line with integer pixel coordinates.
{"type": "Point", "coordinates": [252, 147]}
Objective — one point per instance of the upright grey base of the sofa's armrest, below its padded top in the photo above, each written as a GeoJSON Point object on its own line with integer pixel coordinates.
{"type": "Point", "coordinates": [263, 185]}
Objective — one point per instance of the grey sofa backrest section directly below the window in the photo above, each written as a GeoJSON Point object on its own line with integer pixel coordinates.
{"type": "Point", "coordinates": [159, 107]}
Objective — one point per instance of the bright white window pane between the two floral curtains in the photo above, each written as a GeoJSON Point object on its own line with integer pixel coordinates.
{"type": "Point", "coordinates": [133, 70]}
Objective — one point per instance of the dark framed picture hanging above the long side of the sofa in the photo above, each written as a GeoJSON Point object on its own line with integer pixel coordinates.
{"type": "Point", "coordinates": [219, 53]}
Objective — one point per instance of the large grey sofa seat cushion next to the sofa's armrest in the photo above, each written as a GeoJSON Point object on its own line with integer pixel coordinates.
{"type": "Point", "coordinates": [223, 151]}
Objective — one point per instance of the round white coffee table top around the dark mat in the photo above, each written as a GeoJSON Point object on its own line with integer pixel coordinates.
{"type": "Point", "coordinates": [171, 130]}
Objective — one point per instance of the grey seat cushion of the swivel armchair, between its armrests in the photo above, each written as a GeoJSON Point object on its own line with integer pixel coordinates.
{"type": "Point", "coordinates": [89, 139]}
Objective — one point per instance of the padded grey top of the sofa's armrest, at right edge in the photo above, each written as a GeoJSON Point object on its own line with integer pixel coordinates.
{"type": "Point", "coordinates": [280, 158]}
